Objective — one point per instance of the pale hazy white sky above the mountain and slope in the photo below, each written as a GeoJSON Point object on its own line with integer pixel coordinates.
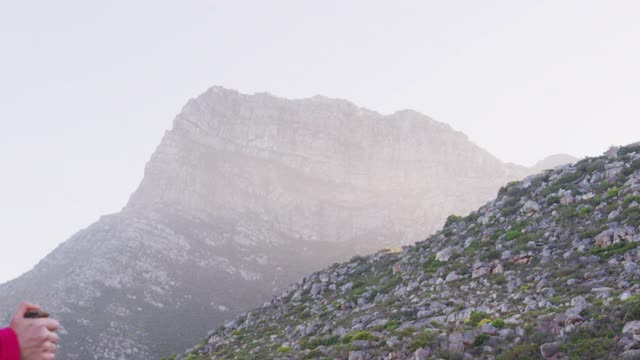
{"type": "Point", "coordinates": [87, 88]}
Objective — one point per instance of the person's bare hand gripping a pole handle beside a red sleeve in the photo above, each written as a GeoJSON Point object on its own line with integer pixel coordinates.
{"type": "Point", "coordinates": [37, 337]}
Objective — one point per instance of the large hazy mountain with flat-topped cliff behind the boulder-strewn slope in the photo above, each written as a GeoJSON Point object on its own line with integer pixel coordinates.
{"type": "Point", "coordinates": [244, 195]}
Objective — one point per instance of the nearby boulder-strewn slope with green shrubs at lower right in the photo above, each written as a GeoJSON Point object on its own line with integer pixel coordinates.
{"type": "Point", "coordinates": [549, 269]}
